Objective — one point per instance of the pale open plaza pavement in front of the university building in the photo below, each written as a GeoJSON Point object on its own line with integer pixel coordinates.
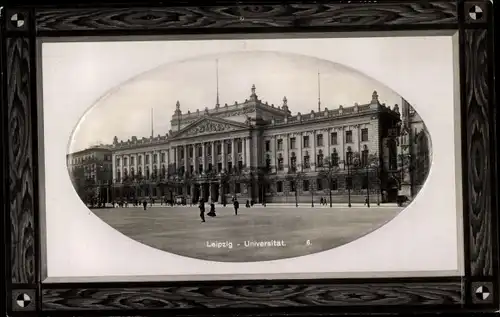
{"type": "Point", "coordinates": [292, 231]}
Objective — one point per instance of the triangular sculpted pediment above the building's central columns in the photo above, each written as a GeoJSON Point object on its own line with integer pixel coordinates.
{"type": "Point", "coordinates": [209, 125]}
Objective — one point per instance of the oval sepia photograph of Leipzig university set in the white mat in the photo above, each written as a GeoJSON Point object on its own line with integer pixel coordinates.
{"type": "Point", "coordinates": [249, 156]}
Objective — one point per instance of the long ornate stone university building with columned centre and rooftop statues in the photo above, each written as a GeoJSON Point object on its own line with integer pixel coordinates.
{"type": "Point", "coordinates": [259, 151]}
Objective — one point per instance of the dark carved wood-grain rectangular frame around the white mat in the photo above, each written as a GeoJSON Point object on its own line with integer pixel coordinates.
{"type": "Point", "coordinates": [22, 24]}
